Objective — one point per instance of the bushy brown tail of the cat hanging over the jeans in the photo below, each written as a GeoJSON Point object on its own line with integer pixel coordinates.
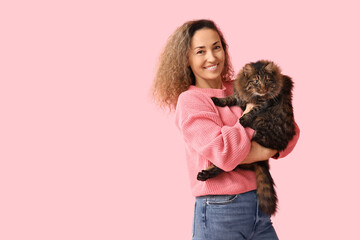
{"type": "Point", "coordinates": [265, 188]}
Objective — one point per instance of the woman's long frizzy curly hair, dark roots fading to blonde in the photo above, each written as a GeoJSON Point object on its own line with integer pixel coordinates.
{"type": "Point", "coordinates": [174, 75]}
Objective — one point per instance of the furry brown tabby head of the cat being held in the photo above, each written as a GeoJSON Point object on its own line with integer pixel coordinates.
{"type": "Point", "coordinates": [260, 80]}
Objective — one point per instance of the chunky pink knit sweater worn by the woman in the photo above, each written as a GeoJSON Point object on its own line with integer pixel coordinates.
{"type": "Point", "coordinates": [214, 135]}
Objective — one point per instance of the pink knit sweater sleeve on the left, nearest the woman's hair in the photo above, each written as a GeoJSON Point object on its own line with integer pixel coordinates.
{"type": "Point", "coordinates": [203, 130]}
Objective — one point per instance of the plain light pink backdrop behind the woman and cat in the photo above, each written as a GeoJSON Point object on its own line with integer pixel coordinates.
{"type": "Point", "coordinates": [85, 154]}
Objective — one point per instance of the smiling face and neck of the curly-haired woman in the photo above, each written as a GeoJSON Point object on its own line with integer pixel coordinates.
{"type": "Point", "coordinates": [206, 58]}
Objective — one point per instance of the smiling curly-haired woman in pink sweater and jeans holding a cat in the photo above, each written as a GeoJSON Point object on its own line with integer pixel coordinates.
{"type": "Point", "coordinates": [194, 67]}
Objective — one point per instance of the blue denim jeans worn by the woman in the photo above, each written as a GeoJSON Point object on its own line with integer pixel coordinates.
{"type": "Point", "coordinates": [227, 217]}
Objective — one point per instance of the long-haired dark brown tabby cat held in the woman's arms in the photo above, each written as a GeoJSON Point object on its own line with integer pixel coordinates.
{"type": "Point", "coordinates": [262, 84]}
